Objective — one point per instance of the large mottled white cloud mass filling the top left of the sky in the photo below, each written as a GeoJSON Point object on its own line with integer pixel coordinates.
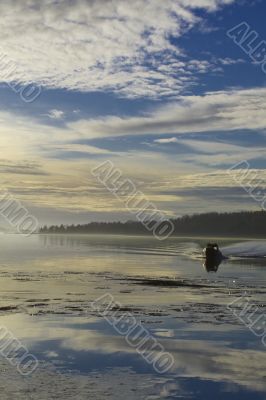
{"type": "Point", "coordinates": [101, 45]}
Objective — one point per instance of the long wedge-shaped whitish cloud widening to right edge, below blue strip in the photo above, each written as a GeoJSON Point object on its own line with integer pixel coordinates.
{"type": "Point", "coordinates": [233, 109]}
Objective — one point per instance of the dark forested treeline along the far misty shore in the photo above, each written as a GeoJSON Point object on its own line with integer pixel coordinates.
{"type": "Point", "coordinates": [246, 223]}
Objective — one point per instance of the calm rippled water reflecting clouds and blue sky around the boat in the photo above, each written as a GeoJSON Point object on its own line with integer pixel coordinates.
{"type": "Point", "coordinates": [48, 283]}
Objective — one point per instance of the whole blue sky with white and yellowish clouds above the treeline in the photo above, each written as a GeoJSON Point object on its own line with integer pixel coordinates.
{"type": "Point", "coordinates": [157, 87]}
